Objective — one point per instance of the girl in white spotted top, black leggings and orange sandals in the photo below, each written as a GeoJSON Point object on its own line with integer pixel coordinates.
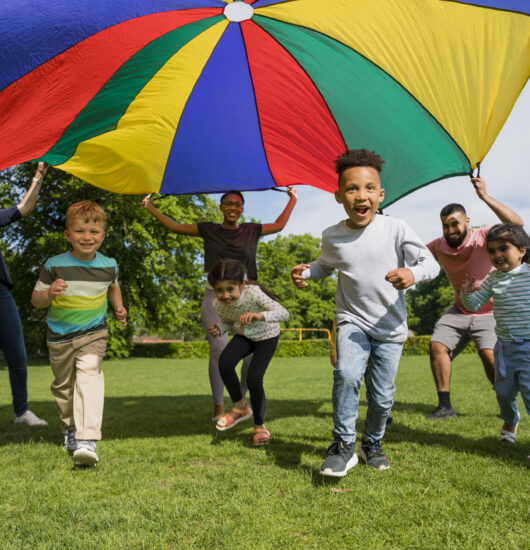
{"type": "Point", "coordinates": [253, 317]}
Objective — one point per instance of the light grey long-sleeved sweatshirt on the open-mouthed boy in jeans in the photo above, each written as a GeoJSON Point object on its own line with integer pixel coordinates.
{"type": "Point", "coordinates": [363, 257]}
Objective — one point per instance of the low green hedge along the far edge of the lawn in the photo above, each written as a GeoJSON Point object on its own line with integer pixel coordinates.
{"type": "Point", "coordinates": [417, 345]}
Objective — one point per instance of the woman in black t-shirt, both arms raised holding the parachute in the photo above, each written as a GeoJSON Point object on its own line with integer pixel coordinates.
{"type": "Point", "coordinates": [228, 239]}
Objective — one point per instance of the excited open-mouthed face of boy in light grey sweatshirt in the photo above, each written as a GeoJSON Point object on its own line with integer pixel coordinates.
{"type": "Point", "coordinates": [360, 193]}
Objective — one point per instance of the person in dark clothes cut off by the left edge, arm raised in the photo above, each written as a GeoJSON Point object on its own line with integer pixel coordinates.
{"type": "Point", "coordinates": [11, 335]}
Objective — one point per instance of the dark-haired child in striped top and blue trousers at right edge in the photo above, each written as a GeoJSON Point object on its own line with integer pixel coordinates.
{"type": "Point", "coordinates": [509, 285]}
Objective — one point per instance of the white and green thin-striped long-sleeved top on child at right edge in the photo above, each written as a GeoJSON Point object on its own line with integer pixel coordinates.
{"type": "Point", "coordinates": [511, 301]}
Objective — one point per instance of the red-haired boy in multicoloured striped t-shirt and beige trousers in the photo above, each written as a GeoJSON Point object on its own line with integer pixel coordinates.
{"type": "Point", "coordinates": [76, 286]}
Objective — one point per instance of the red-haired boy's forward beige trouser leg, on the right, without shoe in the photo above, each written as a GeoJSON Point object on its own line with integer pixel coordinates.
{"type": "Point", "coordinates": [89, 389]}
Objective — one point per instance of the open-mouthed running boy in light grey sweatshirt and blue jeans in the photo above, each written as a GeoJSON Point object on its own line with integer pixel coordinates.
{"type": "Point", "coordinates": [369, 251]}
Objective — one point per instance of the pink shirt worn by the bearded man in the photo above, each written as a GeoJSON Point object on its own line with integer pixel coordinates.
{"type": "Point", "coordinates": [470, 258]}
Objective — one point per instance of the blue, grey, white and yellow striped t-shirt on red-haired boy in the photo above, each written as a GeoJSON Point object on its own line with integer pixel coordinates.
{"type": "Point", "coordinates": [82, 309]}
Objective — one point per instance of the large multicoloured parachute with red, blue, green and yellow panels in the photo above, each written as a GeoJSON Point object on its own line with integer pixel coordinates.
{"type": "Point", "coordinates": [193, 96]}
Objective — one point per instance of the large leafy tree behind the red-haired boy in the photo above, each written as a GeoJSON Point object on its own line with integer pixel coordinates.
{"type": "Point", "coordinates": [160, 272]}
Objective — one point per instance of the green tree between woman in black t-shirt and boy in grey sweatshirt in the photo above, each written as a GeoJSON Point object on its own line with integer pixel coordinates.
{"type": "Point", "coordinates": [310, 307]}
